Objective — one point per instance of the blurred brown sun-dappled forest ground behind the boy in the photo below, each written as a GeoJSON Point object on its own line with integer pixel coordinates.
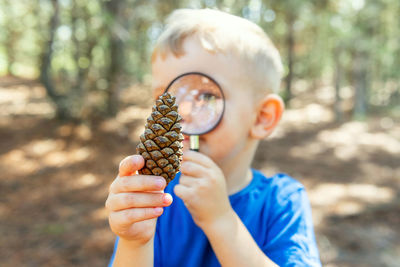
{"type": "Point", "coordinates": [55, 176]}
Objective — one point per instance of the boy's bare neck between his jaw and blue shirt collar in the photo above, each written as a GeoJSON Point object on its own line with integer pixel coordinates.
{"type": "Point", "coordinates": [237, 169]}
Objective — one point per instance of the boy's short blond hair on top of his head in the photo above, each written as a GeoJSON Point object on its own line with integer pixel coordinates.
{"type": "Point", "coordinates": [224, 33]}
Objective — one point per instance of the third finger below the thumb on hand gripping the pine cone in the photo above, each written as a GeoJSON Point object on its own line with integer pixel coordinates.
{"type": "Point", "coordinates": [130, 216]}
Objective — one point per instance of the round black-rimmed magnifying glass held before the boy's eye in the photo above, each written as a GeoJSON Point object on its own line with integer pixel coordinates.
{"type": "Point", "coordinates": [201, 104]}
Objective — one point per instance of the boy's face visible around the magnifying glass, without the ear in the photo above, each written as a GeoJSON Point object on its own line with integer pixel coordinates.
{"type": "Point", "coordinates": [230, 137]}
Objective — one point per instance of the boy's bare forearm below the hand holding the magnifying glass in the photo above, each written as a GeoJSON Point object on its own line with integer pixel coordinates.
{"type": "Point", "coordinates": [233, 244]}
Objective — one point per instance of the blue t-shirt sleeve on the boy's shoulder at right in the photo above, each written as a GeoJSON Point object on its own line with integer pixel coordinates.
{"type": "Point", "coordinates": [291, 240]}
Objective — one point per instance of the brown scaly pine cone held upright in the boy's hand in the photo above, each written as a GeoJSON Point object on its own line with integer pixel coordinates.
{"type": "Point", "coordinates": [161, 143]}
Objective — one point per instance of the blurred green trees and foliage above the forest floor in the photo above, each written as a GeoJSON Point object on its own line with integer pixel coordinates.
{"type": "Point", "coordinates": [94, 48]}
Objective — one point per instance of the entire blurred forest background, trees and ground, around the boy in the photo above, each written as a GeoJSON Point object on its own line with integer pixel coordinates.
{"type": "Point", "coordinates": [75, 90]}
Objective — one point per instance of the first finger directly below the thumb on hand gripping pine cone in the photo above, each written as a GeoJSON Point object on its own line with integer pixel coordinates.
{"type": "Point", "coordinates": [138, 183]}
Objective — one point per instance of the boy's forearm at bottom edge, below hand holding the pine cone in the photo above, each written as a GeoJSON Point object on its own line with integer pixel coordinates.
{"type": "Point", "coordinates": [129, 254]}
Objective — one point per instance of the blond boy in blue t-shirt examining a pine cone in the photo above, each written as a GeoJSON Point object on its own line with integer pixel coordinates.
{"type": "Point", "coordinates": [224, 212]}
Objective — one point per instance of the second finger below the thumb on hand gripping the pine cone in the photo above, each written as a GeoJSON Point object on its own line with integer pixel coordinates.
{"type": "Point", "coordinates": [137, 200]}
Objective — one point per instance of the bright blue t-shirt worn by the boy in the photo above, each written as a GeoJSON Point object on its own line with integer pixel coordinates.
{"type": "Point", "coordinates": [275, 210]}
